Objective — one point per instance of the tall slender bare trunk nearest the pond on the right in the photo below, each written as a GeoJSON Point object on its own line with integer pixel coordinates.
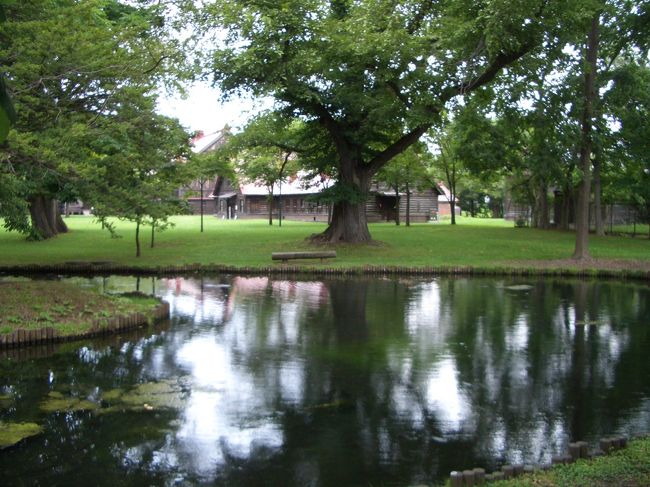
{"type": "Point", "coordinates": [582, 211]}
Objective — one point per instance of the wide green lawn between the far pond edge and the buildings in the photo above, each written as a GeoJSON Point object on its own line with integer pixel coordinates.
{"type": "Point", "coordinates": [473, 242]}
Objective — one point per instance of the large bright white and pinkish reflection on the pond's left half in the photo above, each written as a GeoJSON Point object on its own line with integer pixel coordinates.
{"type": "Point", "coordinates": [229, 414]}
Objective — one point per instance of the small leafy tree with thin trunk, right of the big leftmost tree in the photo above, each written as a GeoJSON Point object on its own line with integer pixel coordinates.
{"type": "Point", "coordinates": [136, 168]}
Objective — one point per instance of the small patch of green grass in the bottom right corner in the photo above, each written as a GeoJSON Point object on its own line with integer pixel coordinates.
{"type": "Point", "coordinates": [629, 467]}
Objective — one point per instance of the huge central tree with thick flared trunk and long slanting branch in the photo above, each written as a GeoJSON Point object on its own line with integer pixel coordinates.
{"type": "Point", "coordinates": [372, 77]}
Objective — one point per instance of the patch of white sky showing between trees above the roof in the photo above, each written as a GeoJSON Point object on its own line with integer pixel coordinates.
{"type": "Point", "coordinates": [202, 109]}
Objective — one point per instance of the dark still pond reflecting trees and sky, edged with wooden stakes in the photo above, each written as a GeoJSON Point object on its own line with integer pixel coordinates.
{"type": "Point", "coordinates": [259, 381]}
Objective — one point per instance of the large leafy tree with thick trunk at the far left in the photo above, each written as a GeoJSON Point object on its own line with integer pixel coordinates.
{"type": "Point", "coordinates": [65, 63]}
